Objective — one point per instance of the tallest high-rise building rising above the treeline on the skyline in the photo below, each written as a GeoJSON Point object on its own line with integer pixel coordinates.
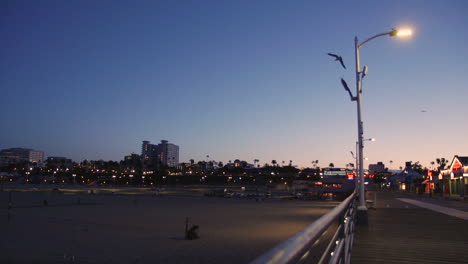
{"type": "Point", "coordinates": [164, 153]}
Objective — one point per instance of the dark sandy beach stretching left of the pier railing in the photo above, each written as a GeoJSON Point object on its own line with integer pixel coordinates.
{"type": "Point", "coordinates": [146, 229]}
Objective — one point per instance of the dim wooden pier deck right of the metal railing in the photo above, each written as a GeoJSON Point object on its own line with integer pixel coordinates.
{"type": "Point", "coordinates": [398, 232]}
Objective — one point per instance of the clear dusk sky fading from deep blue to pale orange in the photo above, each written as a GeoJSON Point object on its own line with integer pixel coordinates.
{"type": "Point", "coordinates": [234, 79]}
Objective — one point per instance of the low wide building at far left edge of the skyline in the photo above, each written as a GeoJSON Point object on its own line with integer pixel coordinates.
{"type": "Point", "coordinates": [18, 155]}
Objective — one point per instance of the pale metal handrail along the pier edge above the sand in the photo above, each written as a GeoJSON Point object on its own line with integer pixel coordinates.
{"type": "Point", "coordinates": [296, 248]}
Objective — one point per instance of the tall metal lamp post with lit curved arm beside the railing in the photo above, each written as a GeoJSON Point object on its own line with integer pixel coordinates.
{"type": "Point", "coordinates": [362, 208]}
